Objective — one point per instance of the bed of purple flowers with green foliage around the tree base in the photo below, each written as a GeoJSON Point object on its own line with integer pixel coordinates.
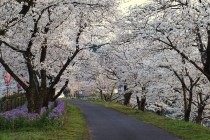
{"type": "Point", "coordinates": [19, 117]}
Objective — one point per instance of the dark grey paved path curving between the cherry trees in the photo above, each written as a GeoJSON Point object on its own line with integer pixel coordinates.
{"type": "Point", "coordinates": [108, 124]}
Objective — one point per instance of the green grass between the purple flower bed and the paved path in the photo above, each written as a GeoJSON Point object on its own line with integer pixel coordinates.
{"type": "Point", "coordinates": [74, 128]}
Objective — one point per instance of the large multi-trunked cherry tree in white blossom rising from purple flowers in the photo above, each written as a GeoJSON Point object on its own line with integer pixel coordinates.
{"type": "Point", "coordinates": [41, 39]}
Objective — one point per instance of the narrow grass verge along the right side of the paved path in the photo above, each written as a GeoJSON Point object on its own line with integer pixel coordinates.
{"type": "Point", "coordinates": [184, 130]}
